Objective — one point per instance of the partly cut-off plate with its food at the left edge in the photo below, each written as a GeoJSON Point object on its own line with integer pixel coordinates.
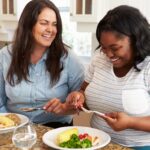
{"type": "Point", "coordinates": [9, 121]}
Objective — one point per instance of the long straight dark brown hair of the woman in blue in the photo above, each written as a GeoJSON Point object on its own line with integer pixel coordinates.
{"type": "Point", "coordinates": [23, 44]}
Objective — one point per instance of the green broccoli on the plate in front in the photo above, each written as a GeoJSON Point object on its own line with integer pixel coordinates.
{"type": "Point", "coordinates": [75, 142]}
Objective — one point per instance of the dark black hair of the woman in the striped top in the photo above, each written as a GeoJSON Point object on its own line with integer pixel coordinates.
{"type": "Point", "coordinates": [128, 21]}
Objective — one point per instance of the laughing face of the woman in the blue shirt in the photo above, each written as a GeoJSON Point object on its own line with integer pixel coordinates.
{"type": "Point", "coordinates": [45, 29]}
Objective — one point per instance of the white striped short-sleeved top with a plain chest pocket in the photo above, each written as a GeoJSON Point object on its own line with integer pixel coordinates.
{"type": "Point", "coordinates": [105, 94]}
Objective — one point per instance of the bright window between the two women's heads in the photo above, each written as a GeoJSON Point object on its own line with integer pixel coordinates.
{"type": "Point", "coordinates": [80, 42]}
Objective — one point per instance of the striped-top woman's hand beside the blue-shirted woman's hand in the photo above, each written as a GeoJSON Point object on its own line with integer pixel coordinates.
{"type": "Point", "coordinates": [75, 100]}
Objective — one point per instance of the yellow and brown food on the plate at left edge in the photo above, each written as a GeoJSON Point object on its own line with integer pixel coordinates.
{"type": "Point", "coordinates": [9, 120]}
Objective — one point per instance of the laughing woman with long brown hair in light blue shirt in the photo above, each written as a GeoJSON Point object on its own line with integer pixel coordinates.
{"type": "Point", "coordinates": [38, 65]}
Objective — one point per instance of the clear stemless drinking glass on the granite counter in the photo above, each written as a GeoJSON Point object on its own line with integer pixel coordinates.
{"type": "Point", "coordinates": [24, 137]}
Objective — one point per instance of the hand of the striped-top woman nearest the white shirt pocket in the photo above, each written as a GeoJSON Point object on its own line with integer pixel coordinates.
{"type": "Point", "coordinates": [118, 121]}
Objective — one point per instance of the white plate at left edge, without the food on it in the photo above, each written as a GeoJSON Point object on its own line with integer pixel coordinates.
{"type": "Point", "coordinates": [24, 120]}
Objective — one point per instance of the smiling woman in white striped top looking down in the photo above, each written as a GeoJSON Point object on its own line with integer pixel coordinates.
{"type": "Point", "coordinates": [118, 72]}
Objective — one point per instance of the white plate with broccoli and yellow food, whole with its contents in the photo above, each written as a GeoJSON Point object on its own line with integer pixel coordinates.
{"type": "Point", "coordinates": [76, 138]}
